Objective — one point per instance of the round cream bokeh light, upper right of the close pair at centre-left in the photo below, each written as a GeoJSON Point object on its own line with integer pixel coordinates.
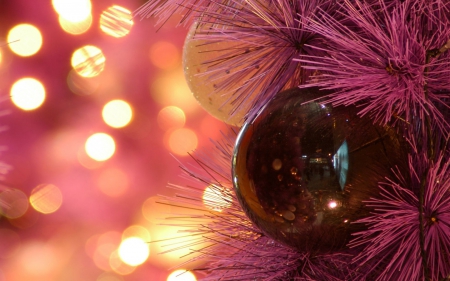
{"type": "Point", "coordinates": [117, 113]}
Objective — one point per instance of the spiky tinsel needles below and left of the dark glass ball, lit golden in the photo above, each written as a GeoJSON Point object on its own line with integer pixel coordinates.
{"type": "Point", "coordinates": [229, 245]}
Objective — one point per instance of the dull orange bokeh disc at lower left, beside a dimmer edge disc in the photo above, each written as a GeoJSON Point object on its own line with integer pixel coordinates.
{"type": "Point", "coordinates": [46, 198]}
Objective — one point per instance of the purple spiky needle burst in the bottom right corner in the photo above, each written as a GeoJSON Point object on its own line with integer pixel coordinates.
{"type": "Point", "coordinates": [392, 241]}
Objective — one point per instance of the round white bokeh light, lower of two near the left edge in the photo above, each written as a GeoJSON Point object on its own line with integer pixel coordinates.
{"type": "Point", "coordinates": [27, 93]}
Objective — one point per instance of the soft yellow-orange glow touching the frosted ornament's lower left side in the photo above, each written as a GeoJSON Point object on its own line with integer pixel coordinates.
{"type": "Point", "coordinates": [171, 89]}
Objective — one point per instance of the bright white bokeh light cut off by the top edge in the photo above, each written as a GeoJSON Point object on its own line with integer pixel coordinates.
{"type": "Point", "coordinates": [73, 10]}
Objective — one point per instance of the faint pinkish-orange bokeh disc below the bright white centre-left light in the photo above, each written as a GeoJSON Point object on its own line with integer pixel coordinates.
{"type": "Point", "coordinates": [113, 182]}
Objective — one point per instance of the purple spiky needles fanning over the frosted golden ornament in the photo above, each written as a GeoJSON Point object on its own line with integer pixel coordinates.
{"type": "Point", "coordinates": [265, 36]}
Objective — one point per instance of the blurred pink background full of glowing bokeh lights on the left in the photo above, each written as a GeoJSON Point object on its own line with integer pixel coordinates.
{"type": "Point", "coordinates": [94, 109]}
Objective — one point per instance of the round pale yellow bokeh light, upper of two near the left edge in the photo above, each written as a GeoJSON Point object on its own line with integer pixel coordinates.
{"type": "Point", "coordinates": [24, 40]}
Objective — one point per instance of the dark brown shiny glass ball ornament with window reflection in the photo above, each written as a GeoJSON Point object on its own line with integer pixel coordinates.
{"type": "Point", "coordinates": [301, 171]}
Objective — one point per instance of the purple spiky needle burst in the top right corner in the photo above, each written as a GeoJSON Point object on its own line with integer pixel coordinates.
{"type": "Point", "coordinates": [379, 59]}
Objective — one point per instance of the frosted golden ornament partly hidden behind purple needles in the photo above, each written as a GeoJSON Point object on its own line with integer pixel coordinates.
{"type": "Point", "coordinates": [203, 84]}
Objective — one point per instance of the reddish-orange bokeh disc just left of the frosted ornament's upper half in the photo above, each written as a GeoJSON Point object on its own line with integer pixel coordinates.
{"type": "Point", "coordinates": [164, 55]}
